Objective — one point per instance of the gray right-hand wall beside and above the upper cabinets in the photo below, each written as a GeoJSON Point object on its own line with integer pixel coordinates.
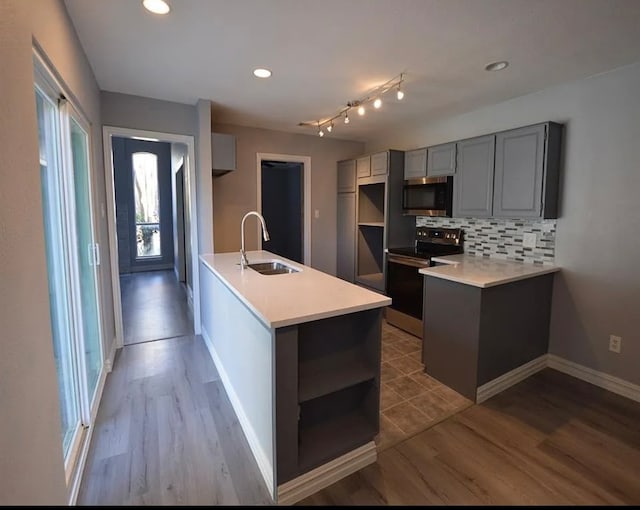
{"type": "Point", "coordinates": [597, 242]}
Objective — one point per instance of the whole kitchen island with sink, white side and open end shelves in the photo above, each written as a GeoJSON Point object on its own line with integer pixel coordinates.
{"type": "Point", "coordinates": [299, 356]}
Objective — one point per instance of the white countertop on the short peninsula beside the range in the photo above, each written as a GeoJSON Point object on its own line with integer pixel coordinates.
{"type": "Point", "coordinates": [484, 272]}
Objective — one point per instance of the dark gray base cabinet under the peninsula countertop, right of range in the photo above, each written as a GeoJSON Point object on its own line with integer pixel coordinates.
{"type": "Point", "coordinates": [504, 327]}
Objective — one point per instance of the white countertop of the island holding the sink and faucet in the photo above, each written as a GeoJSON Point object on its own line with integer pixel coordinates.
{"type": "Point", "coordinates": [285, 299]}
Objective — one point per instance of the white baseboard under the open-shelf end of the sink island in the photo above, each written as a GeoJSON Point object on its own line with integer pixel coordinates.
{"type": "Point", "coordinates": [317, 479]}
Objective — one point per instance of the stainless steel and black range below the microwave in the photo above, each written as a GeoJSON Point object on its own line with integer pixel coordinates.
{"type": "Point", "coordinates": [405, 283]}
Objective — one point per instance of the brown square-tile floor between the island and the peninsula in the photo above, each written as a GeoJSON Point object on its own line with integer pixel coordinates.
{"type": "Point", "coordinates": [410, 400]}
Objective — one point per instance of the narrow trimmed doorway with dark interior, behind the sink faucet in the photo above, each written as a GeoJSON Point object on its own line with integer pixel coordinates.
{"type": "Point", "coordinates": [284, 199]}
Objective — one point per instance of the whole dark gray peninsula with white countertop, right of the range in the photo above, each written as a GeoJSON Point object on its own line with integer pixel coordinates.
{"type": "Point", "coordinates": [485, 322]}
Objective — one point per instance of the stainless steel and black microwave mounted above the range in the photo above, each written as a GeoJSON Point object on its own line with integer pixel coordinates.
{"type": "Point", "coordinates": [428, 196]}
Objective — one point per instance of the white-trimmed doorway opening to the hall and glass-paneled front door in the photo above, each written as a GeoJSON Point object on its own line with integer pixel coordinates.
{"type": "Point", "coordinates": [159, 295]}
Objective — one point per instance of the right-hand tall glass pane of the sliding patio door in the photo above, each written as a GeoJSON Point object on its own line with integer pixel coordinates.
{"type": "Point", "coordinates": [87, 258]}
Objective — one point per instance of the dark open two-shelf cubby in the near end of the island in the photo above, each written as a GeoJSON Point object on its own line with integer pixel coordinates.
{"type": "Point", "coordinates": [327, 389]}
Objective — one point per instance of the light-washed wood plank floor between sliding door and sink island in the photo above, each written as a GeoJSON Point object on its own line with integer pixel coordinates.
{"type": "Point", "coordinates": [166, 433]}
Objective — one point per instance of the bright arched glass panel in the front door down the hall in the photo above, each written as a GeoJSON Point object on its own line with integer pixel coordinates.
{"type": "Point", "coordinates": [147, 200]}
